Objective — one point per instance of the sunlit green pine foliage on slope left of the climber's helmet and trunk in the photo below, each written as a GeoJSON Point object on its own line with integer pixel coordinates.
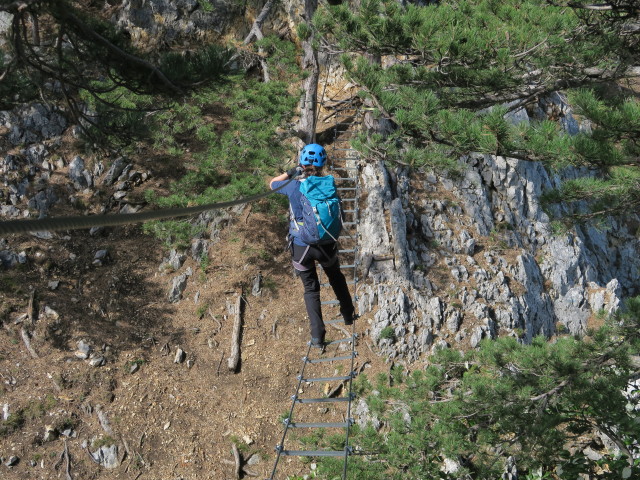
{"type": "Point", "coordinates": [232, 161]}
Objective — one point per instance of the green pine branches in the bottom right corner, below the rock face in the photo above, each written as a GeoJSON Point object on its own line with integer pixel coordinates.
{"type": "Point", "coordinates": [541, 403]}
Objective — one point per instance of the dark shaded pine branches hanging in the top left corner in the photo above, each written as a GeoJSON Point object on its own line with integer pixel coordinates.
{"type": "Point", "coordinates": [69, 49]}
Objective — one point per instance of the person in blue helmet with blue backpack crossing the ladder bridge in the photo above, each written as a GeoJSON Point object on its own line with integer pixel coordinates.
{"type": "Point", "coordinates": [314, 228]}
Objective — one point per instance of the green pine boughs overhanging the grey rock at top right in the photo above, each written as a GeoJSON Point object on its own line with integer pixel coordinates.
{"type": "Point", "coordinates": [452, 70]}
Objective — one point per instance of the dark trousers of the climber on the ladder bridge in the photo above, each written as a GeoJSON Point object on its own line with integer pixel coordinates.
{"type": "Point", "coordinates": [304, 261]}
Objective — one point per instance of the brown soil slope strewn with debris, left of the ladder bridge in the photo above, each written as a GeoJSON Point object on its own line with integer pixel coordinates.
{"type": "Point", "coordinates": [170, 420]}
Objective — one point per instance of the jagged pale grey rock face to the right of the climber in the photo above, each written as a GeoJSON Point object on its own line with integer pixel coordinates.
{"type": "Point", "coordinates": [456, 261]}
